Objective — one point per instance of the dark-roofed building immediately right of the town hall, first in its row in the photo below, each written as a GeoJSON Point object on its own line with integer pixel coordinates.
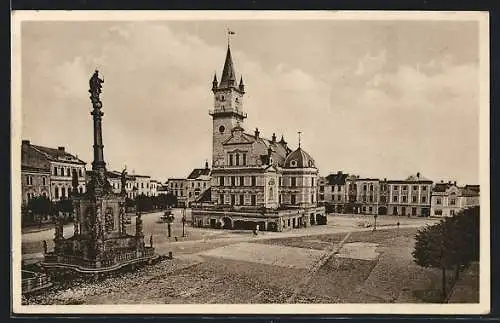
{"type": "Point", "coordinates": [332, 191]}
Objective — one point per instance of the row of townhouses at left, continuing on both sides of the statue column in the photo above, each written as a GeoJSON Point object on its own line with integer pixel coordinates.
{"type": "Point", "coordinates": [49, 172]}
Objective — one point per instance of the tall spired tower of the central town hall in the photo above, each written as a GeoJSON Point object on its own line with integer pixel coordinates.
{"type": "Point", "coordinates": [228, 108]}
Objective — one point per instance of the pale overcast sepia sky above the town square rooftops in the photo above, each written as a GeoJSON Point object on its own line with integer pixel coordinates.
{"type": "Point", "coordinates": [374, 98]}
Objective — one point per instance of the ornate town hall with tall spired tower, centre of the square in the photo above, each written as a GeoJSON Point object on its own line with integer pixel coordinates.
{"type": "Point", "coordinates": [256, 182]}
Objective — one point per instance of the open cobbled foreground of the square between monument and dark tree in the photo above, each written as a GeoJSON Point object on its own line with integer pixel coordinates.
{"type": "Point", "coordinates": [203, 272]}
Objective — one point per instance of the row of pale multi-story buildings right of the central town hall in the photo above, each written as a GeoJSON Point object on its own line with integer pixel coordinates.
{"type": "Point", "coordinates": [414, 196]}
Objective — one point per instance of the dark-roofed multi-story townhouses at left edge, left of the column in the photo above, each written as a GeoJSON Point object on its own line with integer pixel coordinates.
{"type": "Point", "coordinates": [48, 171]}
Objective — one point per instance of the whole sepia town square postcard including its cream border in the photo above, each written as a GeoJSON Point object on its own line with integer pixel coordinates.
{"type": "Point", "coordinates": [250, 162]}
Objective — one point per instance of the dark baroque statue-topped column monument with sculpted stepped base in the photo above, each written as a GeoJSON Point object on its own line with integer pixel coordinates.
{"type": "Point", "coordinates": [100, 242]}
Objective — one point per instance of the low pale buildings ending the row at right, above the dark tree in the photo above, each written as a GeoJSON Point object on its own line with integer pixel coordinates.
{"type": "Point", "coordinates": [448, 199]}
